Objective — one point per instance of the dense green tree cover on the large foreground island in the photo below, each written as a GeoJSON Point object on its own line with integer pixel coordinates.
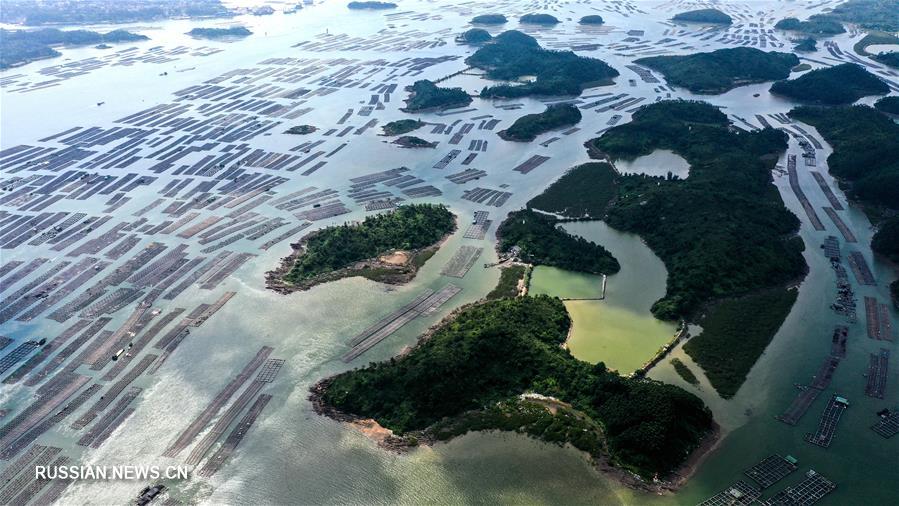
{"type": "Point", "coordinates": [492, 352]}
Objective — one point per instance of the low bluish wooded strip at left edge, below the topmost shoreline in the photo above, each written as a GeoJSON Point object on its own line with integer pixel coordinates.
{"type": "Point", "coordinates": [21, 46]}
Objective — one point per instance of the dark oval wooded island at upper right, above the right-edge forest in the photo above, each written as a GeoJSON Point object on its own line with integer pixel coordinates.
{"type": "Point", "coordinates": [840, 84]}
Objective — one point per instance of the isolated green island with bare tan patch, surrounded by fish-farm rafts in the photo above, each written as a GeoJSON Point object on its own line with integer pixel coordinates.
{"type": "Point", "coordinates": [388, 247]}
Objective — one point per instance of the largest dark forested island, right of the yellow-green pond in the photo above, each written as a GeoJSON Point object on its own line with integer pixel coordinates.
{"type": "Point", "coordinates": [748, 256]}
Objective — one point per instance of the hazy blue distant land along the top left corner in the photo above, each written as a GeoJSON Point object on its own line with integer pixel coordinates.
{"type": "Point", "coordinates": [67, 12]}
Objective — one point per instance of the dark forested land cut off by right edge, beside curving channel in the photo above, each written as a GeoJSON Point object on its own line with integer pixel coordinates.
{"type": "Point", "coordinates": [865, 150]}
